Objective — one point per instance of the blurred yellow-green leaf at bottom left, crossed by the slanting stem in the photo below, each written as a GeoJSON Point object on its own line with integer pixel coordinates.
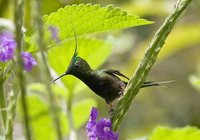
{"type": "Point", "coordinates": [41, 120]}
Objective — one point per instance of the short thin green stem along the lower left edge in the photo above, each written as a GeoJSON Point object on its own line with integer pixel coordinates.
{"type": "Point", "coordinates": [2, 99]}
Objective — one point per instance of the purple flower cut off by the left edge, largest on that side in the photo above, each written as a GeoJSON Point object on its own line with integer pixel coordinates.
{"type": "Point", "coordinates": [7, 46]}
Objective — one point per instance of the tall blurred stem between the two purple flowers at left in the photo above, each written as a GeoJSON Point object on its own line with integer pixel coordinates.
{"type": "Point", "coordinates": [19, 14]}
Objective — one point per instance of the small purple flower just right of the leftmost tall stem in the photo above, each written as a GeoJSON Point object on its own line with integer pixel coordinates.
{"type": "Point", "coordinates": [28, 61]}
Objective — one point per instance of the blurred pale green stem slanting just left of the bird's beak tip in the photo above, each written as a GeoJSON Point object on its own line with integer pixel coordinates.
{"type": "Point", "coordinates": [47, 78]}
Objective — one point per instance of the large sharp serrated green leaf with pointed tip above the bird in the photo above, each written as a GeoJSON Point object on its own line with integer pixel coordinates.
{"type": "Point", "coordinates": [91, 18]}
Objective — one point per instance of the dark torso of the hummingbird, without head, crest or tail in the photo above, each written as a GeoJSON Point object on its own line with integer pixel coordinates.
{"type": "Point", "coordinates": [103, 83]}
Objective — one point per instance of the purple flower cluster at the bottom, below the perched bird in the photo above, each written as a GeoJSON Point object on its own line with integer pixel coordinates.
{"type": "Point", "coordinates": [101, 130]}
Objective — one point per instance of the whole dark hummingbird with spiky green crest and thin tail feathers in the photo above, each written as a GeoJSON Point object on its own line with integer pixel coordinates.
{"type": "Point", "coordinates": [104, 82]}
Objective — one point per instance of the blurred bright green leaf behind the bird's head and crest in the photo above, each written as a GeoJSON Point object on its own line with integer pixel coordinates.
{"type": "Point", "coordinates": [94, 51]}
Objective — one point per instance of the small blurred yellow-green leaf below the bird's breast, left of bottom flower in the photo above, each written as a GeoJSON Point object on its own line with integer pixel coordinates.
{"type": "Point", "coordinates": [81, 111]}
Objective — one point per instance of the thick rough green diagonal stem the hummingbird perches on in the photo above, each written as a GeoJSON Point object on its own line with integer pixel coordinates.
{"type": "Point", "coordinates": [146, 63]}
